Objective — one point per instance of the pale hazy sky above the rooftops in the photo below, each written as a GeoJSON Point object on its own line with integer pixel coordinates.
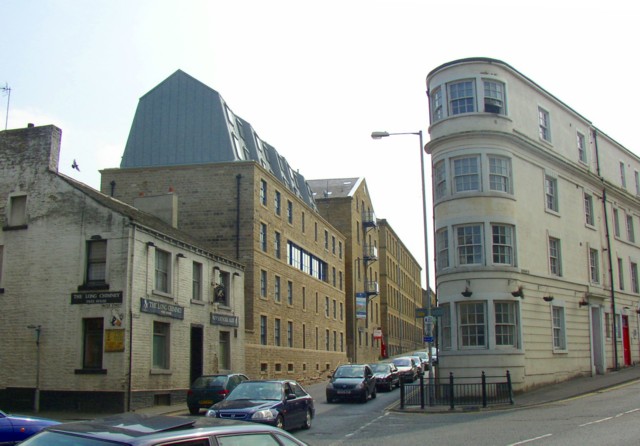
{"type": "Point", "coordinates": [314, 78]}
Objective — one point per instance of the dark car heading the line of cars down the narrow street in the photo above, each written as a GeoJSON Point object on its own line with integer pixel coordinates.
{"type": "Point", "coordinates": [351, 381]}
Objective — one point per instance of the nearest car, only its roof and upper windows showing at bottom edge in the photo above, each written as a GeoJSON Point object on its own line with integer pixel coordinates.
{"type": "Point", "coordinates": [132, 429]}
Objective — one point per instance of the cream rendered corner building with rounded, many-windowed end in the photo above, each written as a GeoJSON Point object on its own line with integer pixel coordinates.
{"type": "Point", "coordinates": [536, 246]}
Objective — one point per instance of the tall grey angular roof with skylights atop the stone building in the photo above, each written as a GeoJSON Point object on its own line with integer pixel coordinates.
{"type": "Point", "coordinates": [183, 121]}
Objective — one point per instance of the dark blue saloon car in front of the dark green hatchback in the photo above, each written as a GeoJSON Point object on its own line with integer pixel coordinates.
{"type": "Point", "coordinates": [281, 403]}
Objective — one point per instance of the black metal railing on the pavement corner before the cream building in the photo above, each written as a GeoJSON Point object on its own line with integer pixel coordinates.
{"type": "Point", "coordinates": [452, 393]}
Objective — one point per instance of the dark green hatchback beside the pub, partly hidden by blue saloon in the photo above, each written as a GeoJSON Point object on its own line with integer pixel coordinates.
{"type": "Point", "coordinates": [210, 389]}
